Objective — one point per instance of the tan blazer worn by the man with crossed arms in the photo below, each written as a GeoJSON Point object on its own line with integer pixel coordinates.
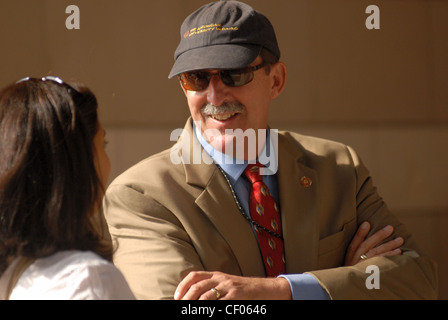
{"type": "Point", "coordinates": [167, 219]}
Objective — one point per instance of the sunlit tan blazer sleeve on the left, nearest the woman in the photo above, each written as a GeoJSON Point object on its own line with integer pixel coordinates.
{"type": "Point", "coordinates": [153, 250]}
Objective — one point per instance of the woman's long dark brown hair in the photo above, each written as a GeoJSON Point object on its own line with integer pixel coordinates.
{"type": "Point", "coordinates": [49, 186]}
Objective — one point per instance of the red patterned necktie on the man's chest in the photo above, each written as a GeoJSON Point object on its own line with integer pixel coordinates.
{"type": "Point", "coordinates": [264, 211]}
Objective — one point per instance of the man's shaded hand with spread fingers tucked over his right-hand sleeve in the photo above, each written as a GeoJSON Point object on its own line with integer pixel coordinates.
{"type": "Point", "coordinates": [371, 247]}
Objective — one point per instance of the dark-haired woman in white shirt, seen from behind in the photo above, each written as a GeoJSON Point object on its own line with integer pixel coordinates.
{"type": "Point", "coordinates": [53, 172]}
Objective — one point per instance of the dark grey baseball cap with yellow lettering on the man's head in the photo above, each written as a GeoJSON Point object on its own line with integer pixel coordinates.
{"type": "Point", "coordinates": [223, 35]}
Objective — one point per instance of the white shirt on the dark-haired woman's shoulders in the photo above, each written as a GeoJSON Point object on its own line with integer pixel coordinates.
{"type": "Point", "coordinates": [72, 275]}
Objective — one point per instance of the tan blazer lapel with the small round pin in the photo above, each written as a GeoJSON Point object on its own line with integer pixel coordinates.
{"type": "Point", "coordinates": [297, 187]}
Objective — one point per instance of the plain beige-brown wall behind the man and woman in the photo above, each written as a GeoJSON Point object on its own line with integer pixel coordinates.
{"type": "Point", "coordinates": [384, 92]}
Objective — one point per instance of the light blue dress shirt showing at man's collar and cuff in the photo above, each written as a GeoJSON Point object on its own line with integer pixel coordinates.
{"type": "Point", "coordinates": [303, 286]}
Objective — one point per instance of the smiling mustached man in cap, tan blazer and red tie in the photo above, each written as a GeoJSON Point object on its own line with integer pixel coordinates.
{"type": "Point", "coordinates": [280, 216]}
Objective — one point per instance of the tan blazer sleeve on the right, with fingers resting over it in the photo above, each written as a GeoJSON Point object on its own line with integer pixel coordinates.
{"type": "Point", "coordinates": [411, 275]}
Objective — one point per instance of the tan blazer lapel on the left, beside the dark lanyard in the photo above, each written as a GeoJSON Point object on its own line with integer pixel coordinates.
{"type": "Point", "coordinates": [217, 202]}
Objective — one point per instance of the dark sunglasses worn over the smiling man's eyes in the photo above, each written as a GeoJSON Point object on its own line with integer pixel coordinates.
{"type": "Point", "coordinates": [199, 80]}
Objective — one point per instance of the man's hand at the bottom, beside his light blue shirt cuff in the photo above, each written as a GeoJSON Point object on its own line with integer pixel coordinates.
{"type": "Point", "coordinates": [205, 285]}
